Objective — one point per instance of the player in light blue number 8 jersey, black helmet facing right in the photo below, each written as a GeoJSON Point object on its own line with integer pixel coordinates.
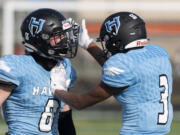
{"type": "Point", "coordinates": [27, 82]}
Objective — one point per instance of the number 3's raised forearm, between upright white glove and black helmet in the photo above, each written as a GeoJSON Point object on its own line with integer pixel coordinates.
{"type": "Point", "coordinates": [97, 53]}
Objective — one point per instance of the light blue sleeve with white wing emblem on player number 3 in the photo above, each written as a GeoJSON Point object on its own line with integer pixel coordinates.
{"type": "Point", "coordinates": [118, 72]}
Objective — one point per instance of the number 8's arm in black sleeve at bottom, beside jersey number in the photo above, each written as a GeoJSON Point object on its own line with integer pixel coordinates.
{"type": "Point", "coordinates": [65, 122]}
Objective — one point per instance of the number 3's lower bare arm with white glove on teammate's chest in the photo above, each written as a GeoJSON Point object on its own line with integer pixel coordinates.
{"type": "Point", "coordinates": [81, 100]}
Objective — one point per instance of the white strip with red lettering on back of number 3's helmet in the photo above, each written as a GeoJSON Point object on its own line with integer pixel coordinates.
{"type": "Point", "coordinates": [137, 43]}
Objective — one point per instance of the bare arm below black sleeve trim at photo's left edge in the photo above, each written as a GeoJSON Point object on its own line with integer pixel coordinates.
{"type": "Point", "coordinates": [5, 91]}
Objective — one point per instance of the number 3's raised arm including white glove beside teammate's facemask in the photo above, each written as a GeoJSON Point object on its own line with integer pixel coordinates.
{"type": "Point", "coordinates": [87, 43]}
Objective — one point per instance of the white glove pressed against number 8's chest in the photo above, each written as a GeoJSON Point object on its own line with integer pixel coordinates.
{"type": "Point", "coordinates": [58, 78]}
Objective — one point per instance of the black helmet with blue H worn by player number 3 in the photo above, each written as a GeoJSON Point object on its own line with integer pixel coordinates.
{"type": "Point", "coordinates": [120, 29]}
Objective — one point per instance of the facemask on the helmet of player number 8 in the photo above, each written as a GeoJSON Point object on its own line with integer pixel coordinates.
{"type": "Point", "coordinates": [64, 44]}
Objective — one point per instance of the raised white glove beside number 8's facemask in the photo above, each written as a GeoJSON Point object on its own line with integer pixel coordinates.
{"type": "Point", "coordinates": [84, 39]}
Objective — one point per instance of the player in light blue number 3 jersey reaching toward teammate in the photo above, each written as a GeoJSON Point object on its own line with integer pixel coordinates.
{"type": "Point", "coordinates": [138, 74]}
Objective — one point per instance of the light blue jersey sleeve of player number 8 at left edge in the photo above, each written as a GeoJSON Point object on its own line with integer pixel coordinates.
{"type": "Point", "coordinates": [8, 70]}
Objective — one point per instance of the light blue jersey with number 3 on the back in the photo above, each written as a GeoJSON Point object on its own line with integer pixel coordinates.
{"type": "Point", "coordinates": [146, 103]}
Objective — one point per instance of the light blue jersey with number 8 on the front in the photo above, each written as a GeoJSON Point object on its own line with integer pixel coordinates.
{"type": "Point", "coordinates": [31, 109]}
